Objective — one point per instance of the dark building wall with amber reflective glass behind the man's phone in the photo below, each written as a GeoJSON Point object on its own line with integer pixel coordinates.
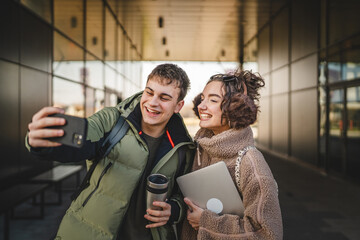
{"type": "Point", "coordinates": [75, 54]}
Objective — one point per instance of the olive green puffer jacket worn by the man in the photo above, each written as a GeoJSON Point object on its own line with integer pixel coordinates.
{"type": "Point", "coordinates": [99, 210]}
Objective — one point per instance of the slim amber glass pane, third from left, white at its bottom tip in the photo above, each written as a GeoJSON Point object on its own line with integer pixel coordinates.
{"type": "Point", "coordinates": [110, 39]}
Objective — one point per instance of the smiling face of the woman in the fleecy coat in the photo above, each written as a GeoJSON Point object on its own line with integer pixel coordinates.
{"type": "Point", "coordinates": [210, 108]}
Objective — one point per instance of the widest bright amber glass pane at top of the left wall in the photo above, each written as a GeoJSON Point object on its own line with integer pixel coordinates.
{"type": "Point", "coordinates": [68, 18]}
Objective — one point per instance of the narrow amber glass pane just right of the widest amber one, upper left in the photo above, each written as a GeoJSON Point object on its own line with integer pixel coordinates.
{"type": "Point", "coordinates": [94, 27]}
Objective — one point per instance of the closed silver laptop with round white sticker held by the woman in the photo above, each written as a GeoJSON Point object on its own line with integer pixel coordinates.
{"type": "Point", "coordinates": [212, 188]}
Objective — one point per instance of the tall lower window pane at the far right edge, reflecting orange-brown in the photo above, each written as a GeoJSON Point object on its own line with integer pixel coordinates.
{"type": "Point", "coordinates": [353, 131]}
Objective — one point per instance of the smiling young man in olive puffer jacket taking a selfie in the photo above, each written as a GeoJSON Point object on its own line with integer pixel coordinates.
{"type": "Point", "coordinates": [113, 206]}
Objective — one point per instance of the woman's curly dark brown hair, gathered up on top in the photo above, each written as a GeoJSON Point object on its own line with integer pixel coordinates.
{"type": "Point", "coordinates": [240, 103]}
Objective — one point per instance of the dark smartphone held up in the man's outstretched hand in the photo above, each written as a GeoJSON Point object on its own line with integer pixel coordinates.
{"type": "Point", "coordinates": [75, 130]}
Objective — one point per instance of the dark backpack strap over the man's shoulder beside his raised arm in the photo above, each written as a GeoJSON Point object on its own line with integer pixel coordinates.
{"type": "Point", "coordinates": [116, 134]}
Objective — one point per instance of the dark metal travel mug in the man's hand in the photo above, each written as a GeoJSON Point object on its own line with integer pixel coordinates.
{"type": "Point", "coordinates": [156, 190]}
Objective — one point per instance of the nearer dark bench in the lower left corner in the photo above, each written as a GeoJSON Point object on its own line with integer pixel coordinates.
{"type": "Point", "coordinates": [15, 195]}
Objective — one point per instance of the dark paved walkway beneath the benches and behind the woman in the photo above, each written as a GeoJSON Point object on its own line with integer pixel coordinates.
{"type": "Point", "coordinates": [314, 207]}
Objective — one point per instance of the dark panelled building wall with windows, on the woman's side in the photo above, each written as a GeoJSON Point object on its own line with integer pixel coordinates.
{"type": "Point", "coordinates": [309, 54]}
